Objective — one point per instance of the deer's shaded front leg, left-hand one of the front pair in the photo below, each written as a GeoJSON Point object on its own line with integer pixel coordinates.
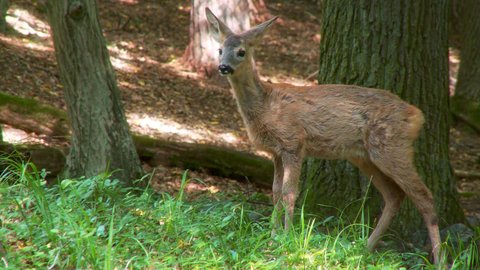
{"type": "Point", "coordinates": [277, 193]}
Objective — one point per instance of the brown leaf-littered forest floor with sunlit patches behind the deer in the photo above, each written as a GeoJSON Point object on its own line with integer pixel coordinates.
{"type": "Point", "coordinates": [164, 99]}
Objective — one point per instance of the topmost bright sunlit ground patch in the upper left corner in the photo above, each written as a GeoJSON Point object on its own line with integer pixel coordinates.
{"type": "Point", "coordinates": [27, 24]}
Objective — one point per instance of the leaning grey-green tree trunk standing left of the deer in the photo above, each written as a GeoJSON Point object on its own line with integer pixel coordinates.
{"type": "Point", "coordinates": [100, 137]}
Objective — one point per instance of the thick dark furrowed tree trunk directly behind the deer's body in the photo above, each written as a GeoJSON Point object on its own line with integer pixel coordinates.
{"type": "Point", "coordinates": [400, 46]}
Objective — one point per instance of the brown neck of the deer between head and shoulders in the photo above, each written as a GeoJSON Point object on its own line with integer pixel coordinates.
{"type": "Point", "coordinates": [248, 90]}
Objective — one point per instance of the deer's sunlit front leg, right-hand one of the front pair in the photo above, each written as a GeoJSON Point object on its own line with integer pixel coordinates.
{"type": "Point", "coordinates": [292, 165]}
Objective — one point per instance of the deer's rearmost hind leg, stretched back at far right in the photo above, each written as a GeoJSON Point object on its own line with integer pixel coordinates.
{"type": "Point", "coordinates": [397, 162]}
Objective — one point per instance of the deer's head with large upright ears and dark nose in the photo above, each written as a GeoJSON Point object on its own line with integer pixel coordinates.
{"type": "Point", "coordinates": [235, 48]}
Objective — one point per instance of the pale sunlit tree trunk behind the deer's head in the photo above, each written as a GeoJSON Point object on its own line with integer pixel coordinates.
{"type": "Point", "coordinates": [201, 53]}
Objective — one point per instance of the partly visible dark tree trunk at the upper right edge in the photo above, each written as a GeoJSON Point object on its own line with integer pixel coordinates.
{"type": "Point", "coordinates": [467, 15]}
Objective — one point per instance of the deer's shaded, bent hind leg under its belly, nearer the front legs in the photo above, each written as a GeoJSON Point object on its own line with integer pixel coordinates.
{"type": "Point", "coordinates": [392, 195]}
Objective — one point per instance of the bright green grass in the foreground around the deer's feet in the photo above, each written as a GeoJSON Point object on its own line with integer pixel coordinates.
{"type": "Point", "coordinates": [95, 223]}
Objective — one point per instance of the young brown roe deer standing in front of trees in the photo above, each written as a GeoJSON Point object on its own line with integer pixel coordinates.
{"type": "Point", "coordinates": [372, 128]}
